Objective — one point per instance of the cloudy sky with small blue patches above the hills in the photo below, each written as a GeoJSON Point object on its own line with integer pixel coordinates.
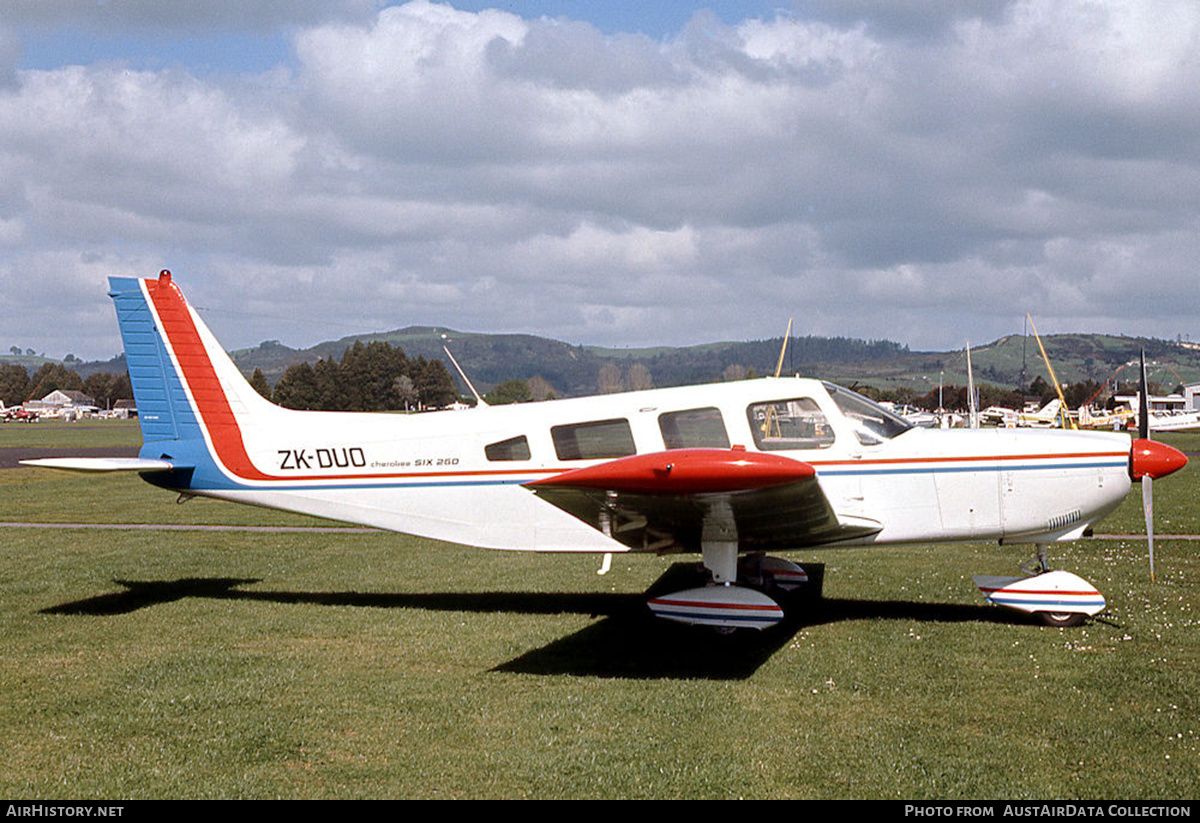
{"type": "Point", "coordinates": [603, 173]}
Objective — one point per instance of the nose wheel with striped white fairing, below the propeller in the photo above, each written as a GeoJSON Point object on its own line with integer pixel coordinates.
{"type": "Point", "coordinates": [1057, 598]}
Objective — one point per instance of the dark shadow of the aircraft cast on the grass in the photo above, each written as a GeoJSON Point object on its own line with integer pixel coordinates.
{"type": "Point", "coordinates": [627, 642]}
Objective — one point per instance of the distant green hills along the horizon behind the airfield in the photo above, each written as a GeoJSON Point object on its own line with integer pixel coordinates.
{"type": "Point", "coordinates": [884, 365]}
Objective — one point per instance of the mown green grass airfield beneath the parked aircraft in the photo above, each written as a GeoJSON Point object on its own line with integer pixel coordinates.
{"type": "Point", "coordinates": [151, 664]}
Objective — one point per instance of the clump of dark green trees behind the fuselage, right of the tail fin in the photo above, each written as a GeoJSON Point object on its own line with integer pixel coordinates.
{"type": "Point", "coordinates": [370, 377]}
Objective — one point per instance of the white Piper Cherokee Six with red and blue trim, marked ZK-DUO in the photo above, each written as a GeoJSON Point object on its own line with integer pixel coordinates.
{"type": "Point", "coordinates": [730, 471]}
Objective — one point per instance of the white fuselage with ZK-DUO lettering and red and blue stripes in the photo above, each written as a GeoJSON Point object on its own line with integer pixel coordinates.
{"type": "Point", "coordinates": [459, 476]}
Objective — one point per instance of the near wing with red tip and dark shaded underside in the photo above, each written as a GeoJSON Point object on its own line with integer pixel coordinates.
{"type": "Point", "coordinates": [663, 502]}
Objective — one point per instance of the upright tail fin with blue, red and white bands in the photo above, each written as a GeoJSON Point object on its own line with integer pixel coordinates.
{"type": "Point", "coordinates": [188, 391]}
